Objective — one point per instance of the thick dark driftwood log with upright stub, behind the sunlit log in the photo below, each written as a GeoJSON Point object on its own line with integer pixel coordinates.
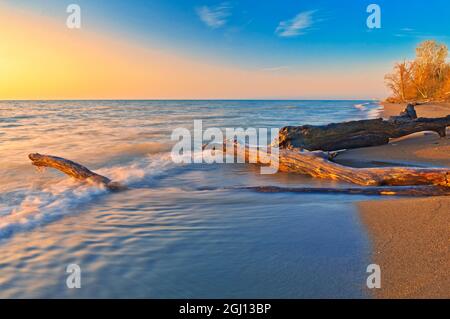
{"type": "Point", "coordinates": [355, 134]}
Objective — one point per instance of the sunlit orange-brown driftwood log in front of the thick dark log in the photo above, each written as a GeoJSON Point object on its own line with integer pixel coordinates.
{"type": "Point", "coordinates": [402, 181]}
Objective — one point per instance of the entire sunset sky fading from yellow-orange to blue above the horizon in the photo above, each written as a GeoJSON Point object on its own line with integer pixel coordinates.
{"type": "Point", "coordinates": [206, 49]}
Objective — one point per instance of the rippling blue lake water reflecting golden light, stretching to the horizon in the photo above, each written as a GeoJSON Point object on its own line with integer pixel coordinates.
{"type": "Point", "coordinates": [178, 231]}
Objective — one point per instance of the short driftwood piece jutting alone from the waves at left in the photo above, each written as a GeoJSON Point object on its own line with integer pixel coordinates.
{"type": "Point", "coordinates": [73, 169]}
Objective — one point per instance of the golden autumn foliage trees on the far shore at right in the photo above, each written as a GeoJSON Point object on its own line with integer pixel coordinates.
{"type": "Point", "coordinates": [425, 78]}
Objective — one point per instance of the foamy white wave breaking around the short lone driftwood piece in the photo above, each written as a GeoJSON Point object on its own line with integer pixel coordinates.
{"type": "Point", "coordinates": [58, 199]}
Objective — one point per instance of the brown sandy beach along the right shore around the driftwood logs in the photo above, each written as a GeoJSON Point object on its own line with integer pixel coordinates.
{"type": "Point", "coordinates": [410, 237]}
